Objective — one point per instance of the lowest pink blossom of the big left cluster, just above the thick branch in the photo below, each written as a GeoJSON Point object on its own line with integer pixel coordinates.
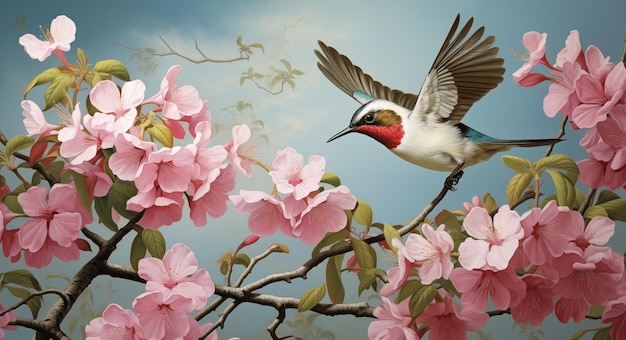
{"type": "Point", "coordinates": [160, 207]}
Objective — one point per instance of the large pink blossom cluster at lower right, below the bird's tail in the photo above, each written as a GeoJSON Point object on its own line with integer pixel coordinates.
{"type": "Point", "coordinates": [556, 254]}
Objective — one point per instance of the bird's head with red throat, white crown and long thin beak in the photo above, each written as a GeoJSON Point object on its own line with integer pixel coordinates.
{"type": "Point", "coordinates": [379, 119]}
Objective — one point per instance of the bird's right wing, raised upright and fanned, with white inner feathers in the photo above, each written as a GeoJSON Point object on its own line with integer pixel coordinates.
{"type": "Point", "coordinates": [463, 72]}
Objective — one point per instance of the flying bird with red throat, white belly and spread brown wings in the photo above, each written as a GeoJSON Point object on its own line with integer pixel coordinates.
{"type": "Point", "coordinates": [425, 129]}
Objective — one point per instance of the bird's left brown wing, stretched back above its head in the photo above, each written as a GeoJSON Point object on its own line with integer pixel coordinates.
{"type": "Point", "coordinates": [350, 78]}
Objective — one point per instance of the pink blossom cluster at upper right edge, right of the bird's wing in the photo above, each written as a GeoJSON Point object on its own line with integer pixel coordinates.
{"type": "Point", "coordinates": [591, 91]}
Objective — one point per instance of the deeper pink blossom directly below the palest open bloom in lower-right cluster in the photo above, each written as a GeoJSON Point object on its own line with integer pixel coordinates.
{"type": "Point", "coordinates": [504, 287]}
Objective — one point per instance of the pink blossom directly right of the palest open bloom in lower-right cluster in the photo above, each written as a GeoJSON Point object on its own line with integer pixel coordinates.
{"type": "Point", "coordinates": [546, 232]}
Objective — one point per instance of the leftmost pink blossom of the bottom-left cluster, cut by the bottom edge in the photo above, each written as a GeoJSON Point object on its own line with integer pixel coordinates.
{"type": "Point", "coordinates": [115, 323]}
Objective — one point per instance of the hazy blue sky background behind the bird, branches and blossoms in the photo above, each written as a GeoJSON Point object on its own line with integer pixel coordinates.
{"type": "Point", "coordinates": [395, 42]}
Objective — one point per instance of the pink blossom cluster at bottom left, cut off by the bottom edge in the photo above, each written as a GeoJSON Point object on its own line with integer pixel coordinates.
{"type": "Point", "coordinates": [174, 287]}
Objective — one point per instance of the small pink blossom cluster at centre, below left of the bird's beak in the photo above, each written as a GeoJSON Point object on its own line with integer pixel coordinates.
{"type": "Point", "coordinates": [306, 212]}
